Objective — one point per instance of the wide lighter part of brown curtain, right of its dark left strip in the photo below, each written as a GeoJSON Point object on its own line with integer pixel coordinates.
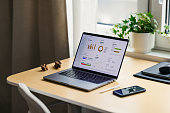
{"type": "Point", "coordinates": [39, 33]}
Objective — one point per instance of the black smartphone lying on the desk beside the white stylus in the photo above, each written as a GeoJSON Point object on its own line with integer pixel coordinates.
{"type": "Point", "coordinates": [129, 91]}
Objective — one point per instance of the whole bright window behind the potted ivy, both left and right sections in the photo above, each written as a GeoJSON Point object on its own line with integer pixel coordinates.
{"type": "Point", "coordinates": [113, 11]}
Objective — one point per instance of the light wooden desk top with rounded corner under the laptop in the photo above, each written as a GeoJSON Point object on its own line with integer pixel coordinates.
{"type": "Point", "coordinates": [156, 99]}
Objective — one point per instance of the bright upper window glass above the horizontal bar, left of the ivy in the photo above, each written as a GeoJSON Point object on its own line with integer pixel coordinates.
{"type": "Point", "coordinates": [113, 11]}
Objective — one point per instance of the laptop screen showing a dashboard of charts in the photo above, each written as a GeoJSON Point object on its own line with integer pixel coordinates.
{"type": "Point", "coordinates": [100, 54]}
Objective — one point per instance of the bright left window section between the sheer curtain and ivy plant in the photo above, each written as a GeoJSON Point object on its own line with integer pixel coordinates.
{"type": "Point", "coordinates": [113, 11]}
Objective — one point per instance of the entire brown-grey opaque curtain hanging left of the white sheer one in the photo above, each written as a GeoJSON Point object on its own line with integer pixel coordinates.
{"type": "Point", "coordinates": [32, 32]}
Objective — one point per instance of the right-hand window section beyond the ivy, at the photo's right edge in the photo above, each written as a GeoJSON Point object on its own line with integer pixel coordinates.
{"type": "Point", "coordinates": [160, 10]}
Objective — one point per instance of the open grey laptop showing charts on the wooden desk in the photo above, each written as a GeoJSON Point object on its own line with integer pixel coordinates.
{"type": "Point", "coordinates": [97, 62]}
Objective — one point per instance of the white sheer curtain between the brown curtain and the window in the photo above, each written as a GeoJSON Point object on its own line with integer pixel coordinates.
{"type": "Point", "coordinates": [84, 19]}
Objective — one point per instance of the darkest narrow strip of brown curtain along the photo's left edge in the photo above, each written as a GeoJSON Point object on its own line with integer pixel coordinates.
{"type": "Point", "coordinates": [5, 54]}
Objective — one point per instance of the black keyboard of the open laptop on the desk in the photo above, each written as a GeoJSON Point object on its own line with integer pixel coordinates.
{"type": "Point", "coordinates": [86, 76]}
